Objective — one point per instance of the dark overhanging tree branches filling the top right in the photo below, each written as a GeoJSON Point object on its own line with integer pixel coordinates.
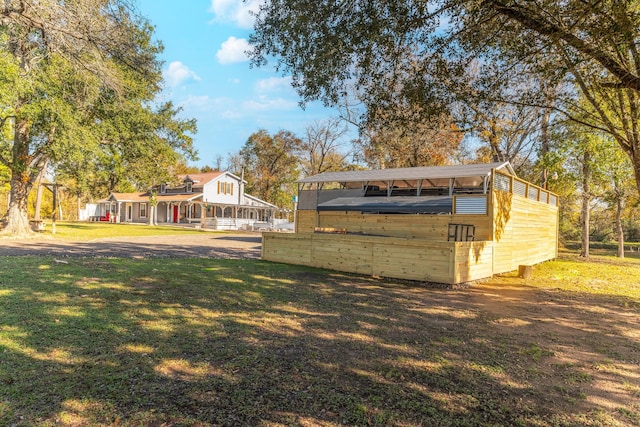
{"type": "Point", "coordinates": [397, 52]}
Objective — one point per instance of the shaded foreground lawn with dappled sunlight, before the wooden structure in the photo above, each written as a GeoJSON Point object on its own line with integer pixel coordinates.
{"type": "Point", "coordinates": [232, 342]}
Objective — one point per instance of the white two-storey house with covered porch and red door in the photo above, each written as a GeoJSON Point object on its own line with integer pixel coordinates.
{"type": "Point", "coordinates": [213, 200]}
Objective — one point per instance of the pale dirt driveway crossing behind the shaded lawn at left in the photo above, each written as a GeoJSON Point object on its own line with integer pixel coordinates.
{"type": "Point", "coordinates": [202, 245]}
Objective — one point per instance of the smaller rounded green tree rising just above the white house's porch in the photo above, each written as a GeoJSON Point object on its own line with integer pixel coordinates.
{"type": "Point", "coordinates": [137, 146]}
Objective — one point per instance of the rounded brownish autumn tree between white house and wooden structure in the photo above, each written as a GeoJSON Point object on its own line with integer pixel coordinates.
{"type": "Point", "coordinates": [271, 166]}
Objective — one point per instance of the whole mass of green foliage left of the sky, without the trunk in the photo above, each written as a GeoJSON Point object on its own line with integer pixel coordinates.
{"type": "Point", "coordinates": [85, 100]}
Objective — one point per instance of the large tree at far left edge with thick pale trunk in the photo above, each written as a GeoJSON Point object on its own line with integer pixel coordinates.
{"type": "Point", "coordinates": [58, 60]}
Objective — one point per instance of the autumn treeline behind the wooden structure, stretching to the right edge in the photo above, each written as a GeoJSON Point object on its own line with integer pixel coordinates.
{"type": "Point", "coordinates": [593, 177]}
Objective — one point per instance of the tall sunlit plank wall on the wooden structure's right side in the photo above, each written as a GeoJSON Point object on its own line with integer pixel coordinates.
{"type": "Point", "coordinates": [525, 233]}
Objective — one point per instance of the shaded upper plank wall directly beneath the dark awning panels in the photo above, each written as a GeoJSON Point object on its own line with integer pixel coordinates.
{"type": "Point", "coordinates": [433, 227]}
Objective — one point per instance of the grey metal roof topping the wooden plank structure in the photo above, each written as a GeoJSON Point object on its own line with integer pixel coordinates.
{"type": "Point", "coordinates": [428, 172]}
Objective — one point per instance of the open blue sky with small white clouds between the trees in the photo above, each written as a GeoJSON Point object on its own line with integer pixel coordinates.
{"type": "Point", "coordinates": [207, 73]}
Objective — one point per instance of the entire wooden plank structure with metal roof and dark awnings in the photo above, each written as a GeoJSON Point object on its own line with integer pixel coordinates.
{"type": "Point", "coordinates": [450, 224]}
